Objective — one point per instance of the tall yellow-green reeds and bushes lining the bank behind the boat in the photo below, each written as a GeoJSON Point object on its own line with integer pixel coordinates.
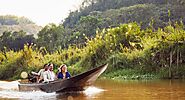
{"type": "Point", "coordinates": [127, 49]}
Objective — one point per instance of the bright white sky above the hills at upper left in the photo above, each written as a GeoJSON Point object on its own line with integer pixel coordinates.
{"type": "Point", "coordinates": [41, 12]}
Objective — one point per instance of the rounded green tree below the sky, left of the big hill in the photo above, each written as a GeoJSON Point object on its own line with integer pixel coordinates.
{"type": "Point", "coordinates": [52, 37]}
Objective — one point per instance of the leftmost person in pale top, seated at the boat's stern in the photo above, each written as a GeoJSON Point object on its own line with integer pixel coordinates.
{"type": "Point", "coordinates": [39, 75]}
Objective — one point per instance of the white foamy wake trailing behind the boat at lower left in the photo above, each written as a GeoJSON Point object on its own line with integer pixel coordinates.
{"type": "Point", "coordinates": [10, 90]}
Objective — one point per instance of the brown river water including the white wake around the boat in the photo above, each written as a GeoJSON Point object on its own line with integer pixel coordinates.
{"type": "Point", "coordinates": [105, 90]}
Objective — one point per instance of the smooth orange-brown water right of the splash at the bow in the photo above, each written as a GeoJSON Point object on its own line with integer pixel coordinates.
{"type": "Point", "coordinates": [142, 90]}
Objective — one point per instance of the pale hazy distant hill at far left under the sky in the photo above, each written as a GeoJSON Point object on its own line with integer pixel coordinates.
{"type": "Point", "coordinates": [14, 23]}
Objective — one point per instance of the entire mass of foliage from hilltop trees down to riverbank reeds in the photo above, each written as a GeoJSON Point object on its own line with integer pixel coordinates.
{"type": "Point", "coordinates": [137, 38]}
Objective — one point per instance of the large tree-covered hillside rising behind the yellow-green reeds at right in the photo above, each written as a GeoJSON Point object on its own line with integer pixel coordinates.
{"type": "Point", "coordinates": [96, 15]}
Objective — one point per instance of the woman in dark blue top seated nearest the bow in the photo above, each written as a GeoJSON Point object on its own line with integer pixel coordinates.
{"type": "Point", "coordinates": [63, 73]}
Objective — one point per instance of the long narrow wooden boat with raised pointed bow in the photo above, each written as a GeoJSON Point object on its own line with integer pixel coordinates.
{"type": "Point", "coordinates": [75, 83]}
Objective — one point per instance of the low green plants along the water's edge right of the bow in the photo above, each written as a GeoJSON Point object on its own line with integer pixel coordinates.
{"type": "Point", "coordinates": [135, 74]}
